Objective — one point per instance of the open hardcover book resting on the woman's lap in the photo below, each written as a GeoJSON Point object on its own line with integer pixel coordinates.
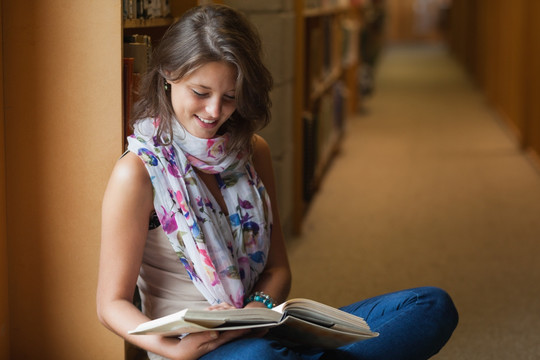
{"type": "Point", "coordinates": [297, 322]}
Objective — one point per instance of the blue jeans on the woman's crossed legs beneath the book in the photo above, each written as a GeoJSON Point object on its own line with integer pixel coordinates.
{"type": "Point", "coordinates": [413, 324]}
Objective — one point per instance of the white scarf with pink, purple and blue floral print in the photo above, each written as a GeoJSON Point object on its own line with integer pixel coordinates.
{"type": "Point", "coordinates": [223, 255]}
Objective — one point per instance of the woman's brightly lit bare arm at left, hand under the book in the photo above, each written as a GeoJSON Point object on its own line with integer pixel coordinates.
{"type": "Point", "coordinates": [126, 209]}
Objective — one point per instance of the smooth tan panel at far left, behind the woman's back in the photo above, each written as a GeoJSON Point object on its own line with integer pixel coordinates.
{"type": "Point", "coordinates": [62, 114]}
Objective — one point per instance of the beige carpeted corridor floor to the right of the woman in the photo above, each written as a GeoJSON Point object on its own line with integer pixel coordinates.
{"type": "Point", "coordinates": [430, 188]}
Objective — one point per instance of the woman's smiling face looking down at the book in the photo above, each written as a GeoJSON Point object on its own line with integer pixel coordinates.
{"type": "Point", "coordinates": [205, 99]}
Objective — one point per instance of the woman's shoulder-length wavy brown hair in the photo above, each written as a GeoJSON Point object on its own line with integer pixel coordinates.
{"type": "Point", "coordinates": [206, 34]}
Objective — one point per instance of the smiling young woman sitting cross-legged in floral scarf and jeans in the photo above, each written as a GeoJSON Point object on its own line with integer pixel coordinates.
{"type": "Point", "coordinates": [190, 215]}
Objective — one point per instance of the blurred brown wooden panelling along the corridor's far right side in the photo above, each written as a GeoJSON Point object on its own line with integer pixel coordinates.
{"type": "Point", "coordinates": [498, 42]}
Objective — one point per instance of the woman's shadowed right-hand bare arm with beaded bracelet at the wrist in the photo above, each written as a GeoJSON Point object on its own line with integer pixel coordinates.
{"type": "Point", "coordinates": [276, 277]}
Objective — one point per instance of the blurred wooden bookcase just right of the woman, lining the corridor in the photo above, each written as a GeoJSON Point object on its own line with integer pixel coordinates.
{"type": "Point", "coordinates": [327, 62]}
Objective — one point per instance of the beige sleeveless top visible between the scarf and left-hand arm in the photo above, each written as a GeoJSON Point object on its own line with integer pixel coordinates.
{"type": "Point", "coordinates": [164, 285]}
